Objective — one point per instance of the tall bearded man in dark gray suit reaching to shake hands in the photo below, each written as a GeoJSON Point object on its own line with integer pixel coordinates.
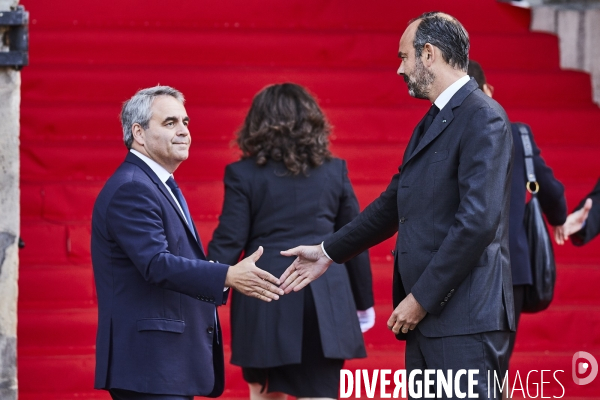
{"type": "Point", "coordinates": [450, 206]}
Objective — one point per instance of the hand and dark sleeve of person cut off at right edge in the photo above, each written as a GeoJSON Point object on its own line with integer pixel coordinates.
{"type": "Point", "coordinates": [583, 224]}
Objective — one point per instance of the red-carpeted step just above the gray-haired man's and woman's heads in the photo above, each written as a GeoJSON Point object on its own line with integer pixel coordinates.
{"type": "Point", "coordinates": [236, 86]}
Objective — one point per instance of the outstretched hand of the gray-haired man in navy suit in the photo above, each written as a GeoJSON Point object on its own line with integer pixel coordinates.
{"type": "Point", "coordinates": [248, 279]}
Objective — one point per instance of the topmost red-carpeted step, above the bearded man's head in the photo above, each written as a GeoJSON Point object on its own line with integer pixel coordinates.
{"type": "Point", "coordinates": [385, 15]}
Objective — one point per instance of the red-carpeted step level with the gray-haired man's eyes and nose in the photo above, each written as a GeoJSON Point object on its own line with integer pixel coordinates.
{"type": "Point", "coordinates": [351, 124]}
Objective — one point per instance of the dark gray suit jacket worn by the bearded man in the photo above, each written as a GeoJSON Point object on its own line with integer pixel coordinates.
{"type": "Point", "coordinates": [450, 206]}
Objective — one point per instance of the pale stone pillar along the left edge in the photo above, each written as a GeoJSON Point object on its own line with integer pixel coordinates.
{"type": "Point", "coordinates": [10, 97]}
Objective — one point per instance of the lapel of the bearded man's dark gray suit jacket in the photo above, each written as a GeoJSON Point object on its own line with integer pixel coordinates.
{"type": "Point", "coordinates": [440, 123]}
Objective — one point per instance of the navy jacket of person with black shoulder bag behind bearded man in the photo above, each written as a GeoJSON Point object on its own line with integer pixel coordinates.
{"type": "Point", "coordinates": [551, 197]}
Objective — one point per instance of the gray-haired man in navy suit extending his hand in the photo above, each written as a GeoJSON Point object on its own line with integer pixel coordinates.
{"type": "Point", "coordinates": [158, 331]}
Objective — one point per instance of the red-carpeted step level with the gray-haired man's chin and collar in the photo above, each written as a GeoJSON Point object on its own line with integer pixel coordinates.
{"type": "Point", "coordinates": [45, 161]}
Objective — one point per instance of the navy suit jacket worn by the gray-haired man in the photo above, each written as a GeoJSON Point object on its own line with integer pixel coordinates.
{"type": "Point", "coordinates": [157, 327]}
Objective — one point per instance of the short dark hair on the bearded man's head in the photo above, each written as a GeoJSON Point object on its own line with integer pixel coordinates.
{"type": "Point", "coordinates": [447, 34]}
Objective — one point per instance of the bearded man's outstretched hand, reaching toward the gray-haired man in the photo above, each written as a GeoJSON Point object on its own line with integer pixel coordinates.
{"type": "Point", "coordinates": [309, 264]}
